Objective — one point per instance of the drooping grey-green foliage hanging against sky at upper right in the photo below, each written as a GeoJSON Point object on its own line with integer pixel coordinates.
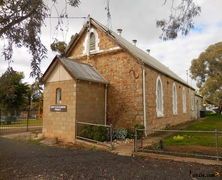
{"type": "Point", "coordinates": [180, 20]}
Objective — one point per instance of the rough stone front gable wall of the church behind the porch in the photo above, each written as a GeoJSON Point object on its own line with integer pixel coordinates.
{"type": "Point", "coordinates": [125, 106]}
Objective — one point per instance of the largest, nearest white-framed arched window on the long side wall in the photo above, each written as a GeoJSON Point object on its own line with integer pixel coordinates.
{"type": "Point", "coordinates": [159, 97]}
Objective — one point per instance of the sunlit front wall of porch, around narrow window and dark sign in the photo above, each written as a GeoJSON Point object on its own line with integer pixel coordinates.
{"type": "Point", "coordinates": [60, 124]}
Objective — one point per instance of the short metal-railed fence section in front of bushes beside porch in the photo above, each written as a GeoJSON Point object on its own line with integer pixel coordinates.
{"type": "Point", "coordinates": [96, 133]}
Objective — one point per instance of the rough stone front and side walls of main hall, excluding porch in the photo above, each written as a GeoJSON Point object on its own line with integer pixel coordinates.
{"type": "Point", "coordinates": [125, 98]}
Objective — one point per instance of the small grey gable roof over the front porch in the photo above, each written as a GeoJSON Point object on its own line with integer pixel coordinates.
{"type": "Point", "coordinates": [77, 70]}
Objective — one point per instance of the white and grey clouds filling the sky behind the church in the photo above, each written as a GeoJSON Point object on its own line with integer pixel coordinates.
{"type": "Point", "coordinates": [138, 21]}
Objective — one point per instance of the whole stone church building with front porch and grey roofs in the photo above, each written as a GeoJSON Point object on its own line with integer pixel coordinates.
{"type": "Point", "coordinates": [103, 78]}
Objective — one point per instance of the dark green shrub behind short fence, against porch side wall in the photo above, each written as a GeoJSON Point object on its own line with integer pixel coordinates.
{"type": "Point", "coordinates": [94, 133]}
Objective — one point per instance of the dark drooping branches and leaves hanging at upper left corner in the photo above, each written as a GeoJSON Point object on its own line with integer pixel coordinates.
{"type": "Point", "coordinates": [20, 25]}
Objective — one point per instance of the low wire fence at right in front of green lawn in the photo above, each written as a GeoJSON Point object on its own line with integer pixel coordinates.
{"type": "Point", "coordinates": [189, 143]}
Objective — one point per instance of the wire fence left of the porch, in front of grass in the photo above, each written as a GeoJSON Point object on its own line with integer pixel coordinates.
{"type": "Point", "coordinates": [16, 124]}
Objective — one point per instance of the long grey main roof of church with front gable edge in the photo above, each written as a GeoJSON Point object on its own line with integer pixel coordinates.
{"type": "Point", "coordinates": [133, 50]}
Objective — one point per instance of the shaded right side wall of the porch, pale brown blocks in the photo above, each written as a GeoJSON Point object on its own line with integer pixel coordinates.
{"type": "Point", "coordinates": [90, 102]}
